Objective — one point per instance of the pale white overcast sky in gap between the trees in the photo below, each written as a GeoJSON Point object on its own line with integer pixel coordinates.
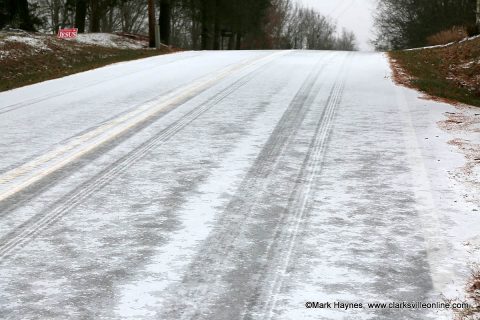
{"type": "Point", "coordinates": [355, 15]}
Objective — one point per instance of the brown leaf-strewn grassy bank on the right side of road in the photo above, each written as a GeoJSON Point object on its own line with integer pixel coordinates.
{"type": "Point", "coordinates": [450, 71]}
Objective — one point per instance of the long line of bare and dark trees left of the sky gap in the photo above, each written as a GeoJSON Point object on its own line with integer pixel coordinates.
{"type": "Point", "coordinates": [189, 24]}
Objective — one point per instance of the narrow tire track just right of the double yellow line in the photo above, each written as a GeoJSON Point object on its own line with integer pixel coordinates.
{"type": "Point", "coordinates": [26, 232]}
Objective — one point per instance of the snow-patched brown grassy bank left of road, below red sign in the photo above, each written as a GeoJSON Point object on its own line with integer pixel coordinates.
{"type": "Point", "coordinates": [27, 58]}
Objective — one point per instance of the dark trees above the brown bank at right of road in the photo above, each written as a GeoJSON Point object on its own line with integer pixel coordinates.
{"type": "Point", "coordinates": [408, 23]}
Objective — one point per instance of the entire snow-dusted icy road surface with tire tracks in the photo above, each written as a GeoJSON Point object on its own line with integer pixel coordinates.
{"type": "Point", "coordinates": [228, 185]}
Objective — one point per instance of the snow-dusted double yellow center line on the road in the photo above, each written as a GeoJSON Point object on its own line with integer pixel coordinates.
{"type": "Point", "coordinates": [35, 170]}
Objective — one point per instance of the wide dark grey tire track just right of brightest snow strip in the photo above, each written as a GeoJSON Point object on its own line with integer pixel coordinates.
{"type": "Point", "coordinates": [212, 261]}
